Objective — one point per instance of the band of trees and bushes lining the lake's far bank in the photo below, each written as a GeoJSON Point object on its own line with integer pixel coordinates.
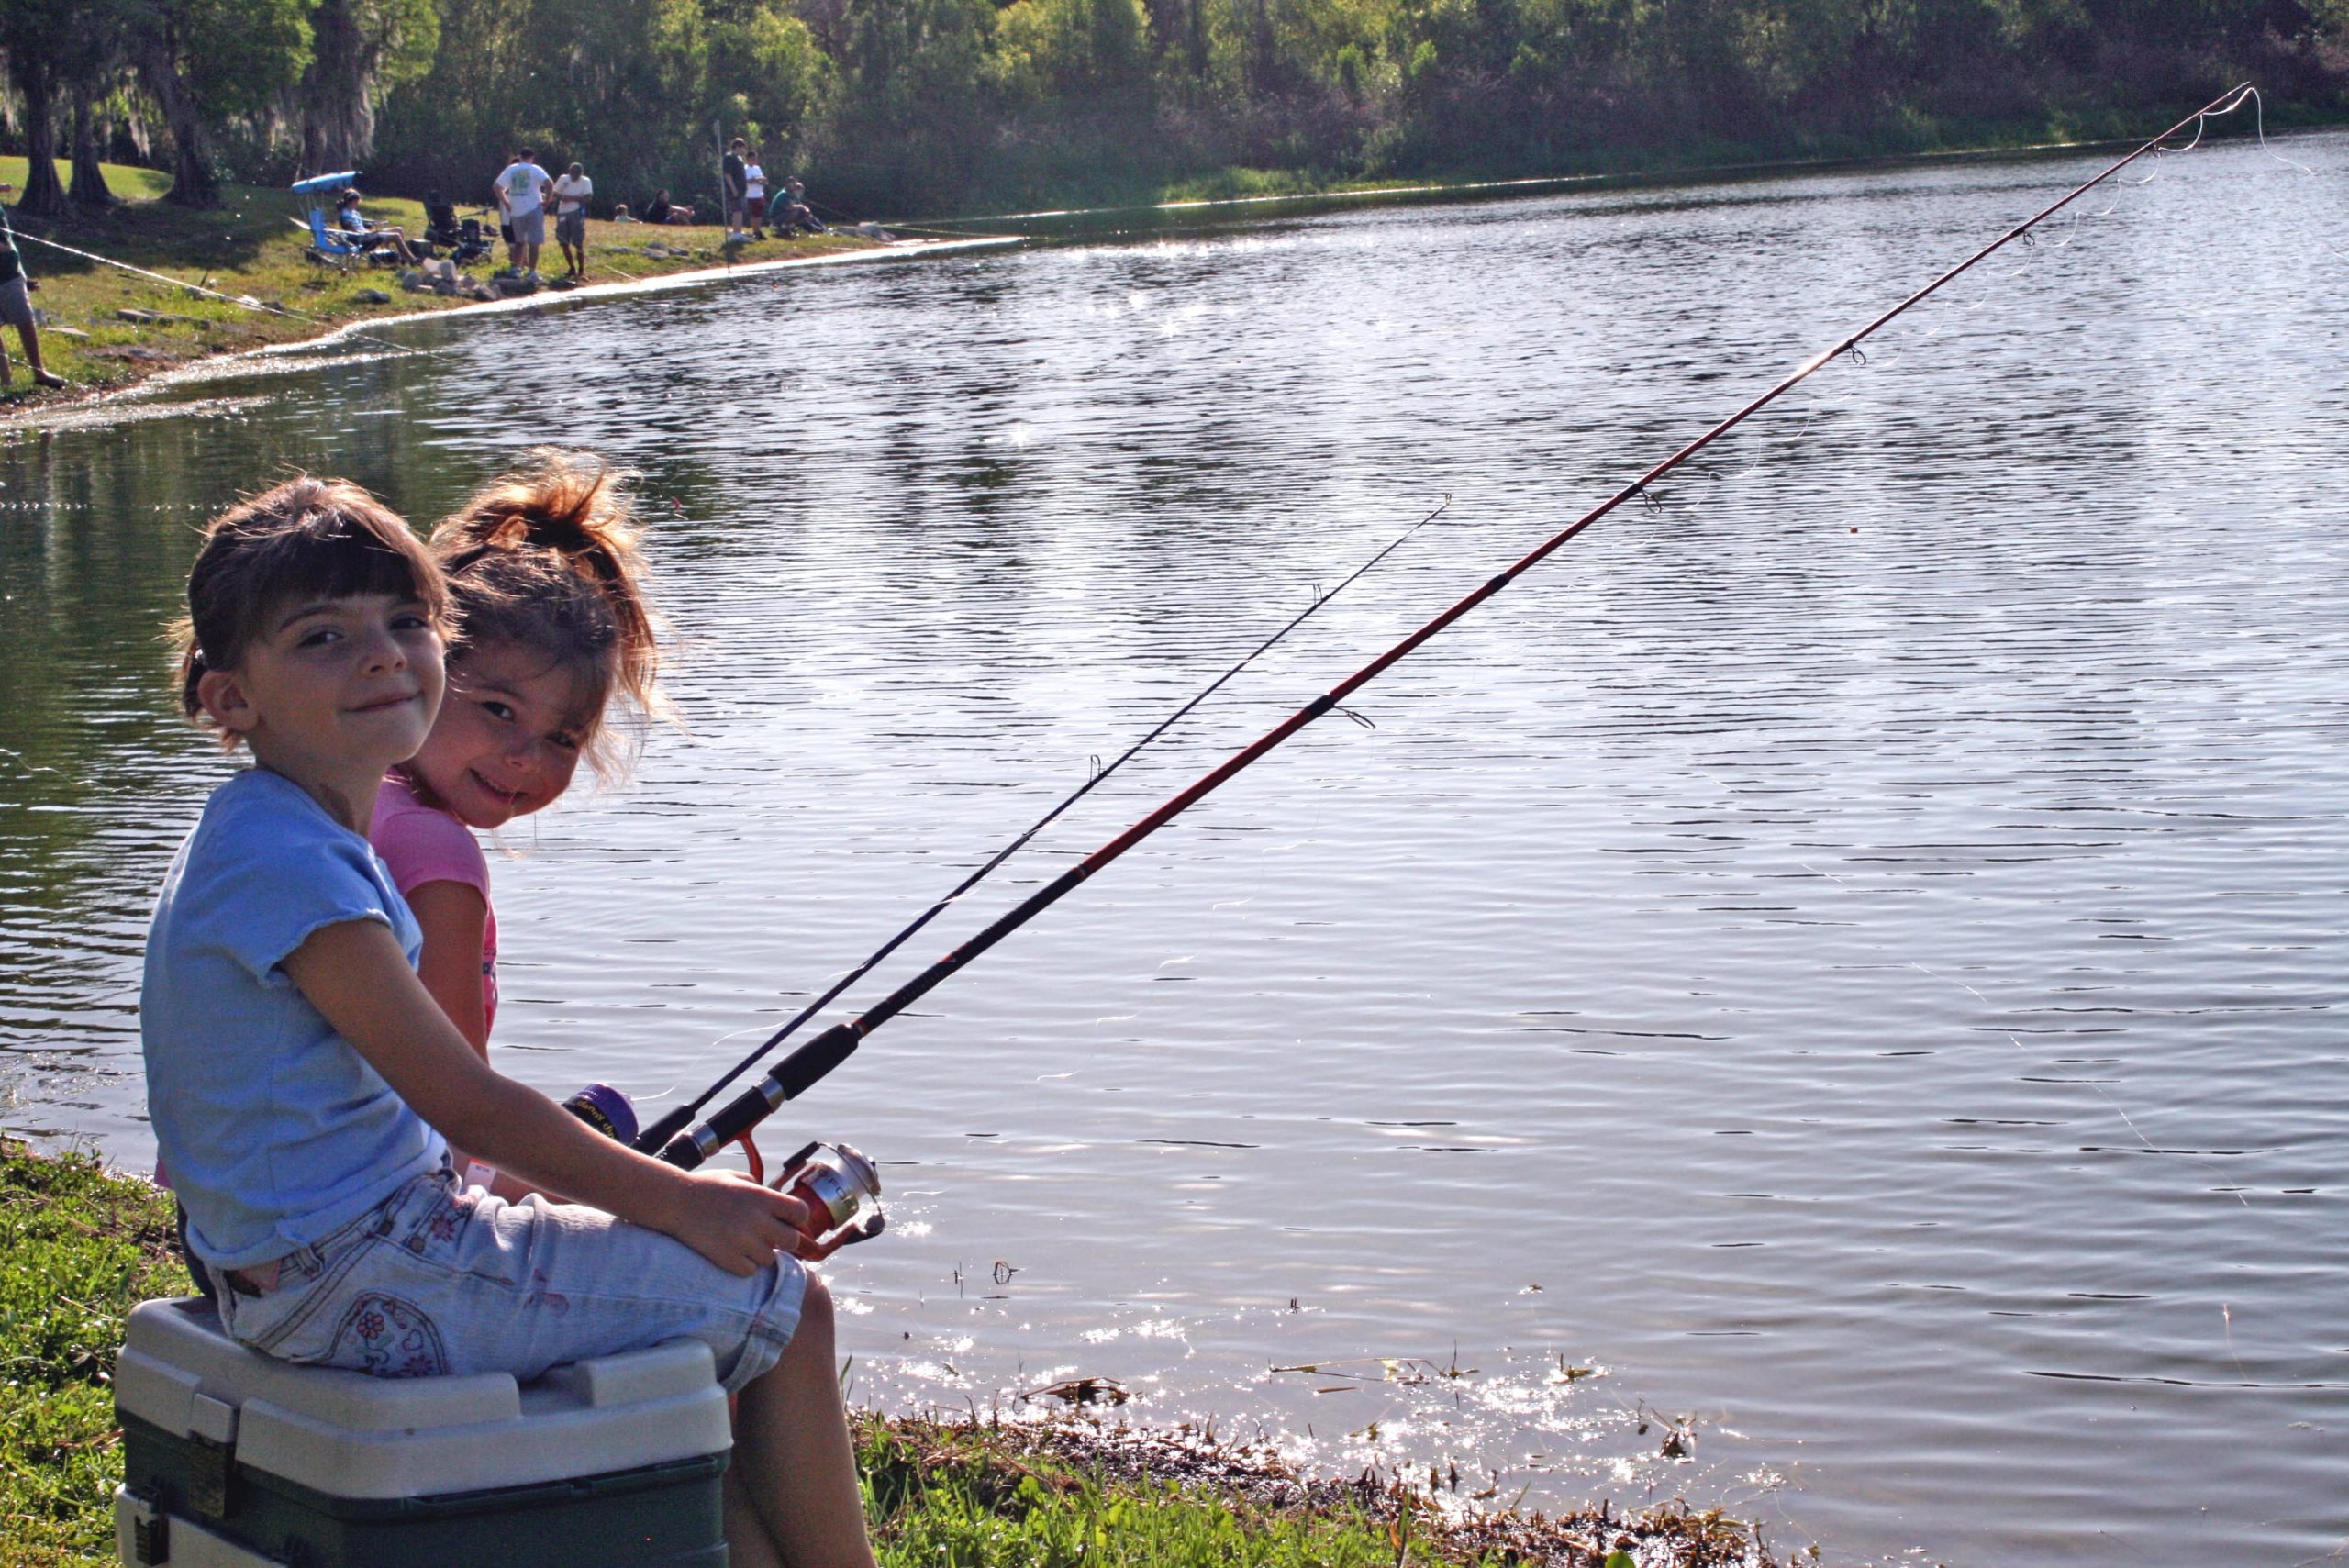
{"type": "Point", "coordinates": [964, 107]}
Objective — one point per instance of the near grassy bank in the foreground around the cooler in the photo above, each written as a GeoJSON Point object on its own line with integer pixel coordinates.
{"type": "Point", "coordinates": [81, 1245]}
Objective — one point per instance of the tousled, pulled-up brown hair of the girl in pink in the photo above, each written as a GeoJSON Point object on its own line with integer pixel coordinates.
{"type": "Point", "coordinates": [546, 560]}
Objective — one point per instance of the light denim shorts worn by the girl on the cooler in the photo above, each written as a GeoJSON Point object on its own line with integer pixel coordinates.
{"type": "Point", "coordinates": [452, 1280]}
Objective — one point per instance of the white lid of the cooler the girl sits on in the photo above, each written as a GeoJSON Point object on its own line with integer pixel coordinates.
{"type": "Point", "coordinates": [351, 1435]}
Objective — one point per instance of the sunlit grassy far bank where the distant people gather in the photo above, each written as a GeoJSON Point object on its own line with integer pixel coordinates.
{"type": "Point", "coordinates": [109, 327]}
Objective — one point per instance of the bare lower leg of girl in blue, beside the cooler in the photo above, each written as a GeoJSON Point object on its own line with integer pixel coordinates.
{"type": "Point", "coordinates": [800, 1473]}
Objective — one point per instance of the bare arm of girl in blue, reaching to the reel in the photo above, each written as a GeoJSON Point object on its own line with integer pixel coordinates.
{"type": "Point", "coordinates": [358, 978]}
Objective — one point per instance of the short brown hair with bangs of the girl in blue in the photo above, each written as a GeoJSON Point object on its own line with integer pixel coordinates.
{"type": "Point", "coordinates": [304, 536]}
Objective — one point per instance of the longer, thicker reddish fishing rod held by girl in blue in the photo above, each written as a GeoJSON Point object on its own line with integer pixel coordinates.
{"type": "Point", "coordinates": [812, 1062]}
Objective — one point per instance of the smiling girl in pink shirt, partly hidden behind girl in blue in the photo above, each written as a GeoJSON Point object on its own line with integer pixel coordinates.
{"type": "Point", "coordinates": [551, 628]}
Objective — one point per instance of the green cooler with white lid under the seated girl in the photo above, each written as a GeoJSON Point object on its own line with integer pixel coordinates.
{"type": "Point", "coordinates": [236, 1461]}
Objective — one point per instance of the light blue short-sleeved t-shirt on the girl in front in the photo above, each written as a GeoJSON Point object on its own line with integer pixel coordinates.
{"type": "Point", "coordinates": [274, 1128]}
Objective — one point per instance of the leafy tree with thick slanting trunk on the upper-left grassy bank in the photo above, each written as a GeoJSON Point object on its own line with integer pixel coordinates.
{"type": "Point", "coordinates": [208, 62]}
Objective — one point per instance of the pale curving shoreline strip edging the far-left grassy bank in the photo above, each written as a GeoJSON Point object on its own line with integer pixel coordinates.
{"type": "Point", "coordinates": [95, 407]}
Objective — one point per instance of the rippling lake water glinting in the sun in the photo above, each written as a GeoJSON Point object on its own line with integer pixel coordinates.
{"type": "Point", "coordinates": [1852, 957]}
